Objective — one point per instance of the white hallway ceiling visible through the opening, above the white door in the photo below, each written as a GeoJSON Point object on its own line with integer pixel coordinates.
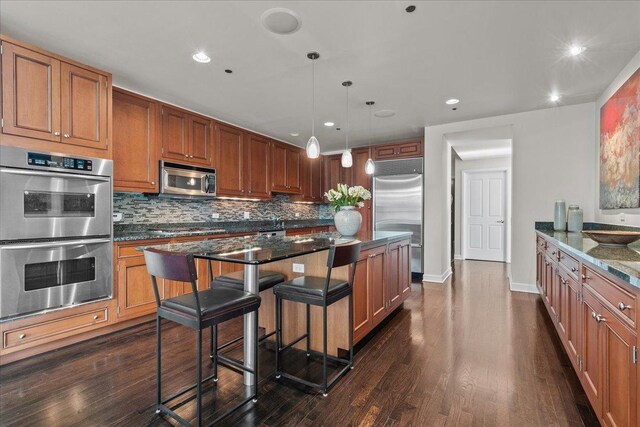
{"type": "Point", "coordinates": [482, 143]}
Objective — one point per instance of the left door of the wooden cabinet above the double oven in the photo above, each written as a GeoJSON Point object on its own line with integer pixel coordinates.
{"type": "Point", "coordinates": [30, 94]}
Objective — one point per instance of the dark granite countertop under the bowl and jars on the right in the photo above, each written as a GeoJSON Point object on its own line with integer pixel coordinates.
{"type": "Point", "coordinates": [622, 262]}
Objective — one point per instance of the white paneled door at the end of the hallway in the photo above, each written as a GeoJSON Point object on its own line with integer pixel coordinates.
{"type": "Point", "coordinates": [484, 216]}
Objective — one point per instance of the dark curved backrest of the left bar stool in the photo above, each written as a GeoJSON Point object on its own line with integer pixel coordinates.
{"type": "Point", "coordinates": [174, 266]}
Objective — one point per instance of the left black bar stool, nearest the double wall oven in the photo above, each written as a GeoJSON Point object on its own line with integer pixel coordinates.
{"type": "Point", "coordinates": [199, 310]}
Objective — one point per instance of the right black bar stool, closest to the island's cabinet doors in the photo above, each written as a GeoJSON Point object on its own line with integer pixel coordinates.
{"type": "Point", "coordinates": [322, 292]}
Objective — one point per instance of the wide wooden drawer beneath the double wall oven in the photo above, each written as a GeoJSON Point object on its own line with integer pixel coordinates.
{"type": "Point", "coordinates": [53, 329]}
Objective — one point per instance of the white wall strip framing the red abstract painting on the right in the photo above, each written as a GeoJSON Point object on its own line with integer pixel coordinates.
{"type": "Point", "coordinates": [612, 216]}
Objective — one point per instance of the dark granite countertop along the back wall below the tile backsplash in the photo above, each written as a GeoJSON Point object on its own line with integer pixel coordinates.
{"type": "Point", "coordinates": [131, 232]}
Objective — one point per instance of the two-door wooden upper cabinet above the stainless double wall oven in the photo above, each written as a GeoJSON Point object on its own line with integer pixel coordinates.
{"type": "Point", "coordinates": [47, 98]}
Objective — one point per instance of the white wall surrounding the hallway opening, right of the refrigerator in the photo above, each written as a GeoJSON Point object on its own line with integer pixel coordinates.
{"type": "Point", "coordinates": [553, 157]}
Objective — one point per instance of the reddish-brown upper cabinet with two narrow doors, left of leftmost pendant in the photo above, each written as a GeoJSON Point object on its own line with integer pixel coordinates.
{"type": "Point", "coordinates": [285, 168]}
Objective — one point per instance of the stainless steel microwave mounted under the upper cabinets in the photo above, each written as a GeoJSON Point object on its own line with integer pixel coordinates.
{"type": "Point", "coordinates": [183, 180]}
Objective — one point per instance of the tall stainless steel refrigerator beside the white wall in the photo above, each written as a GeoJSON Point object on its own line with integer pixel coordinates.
{"type": "Point", "coordinates": [398, 202]}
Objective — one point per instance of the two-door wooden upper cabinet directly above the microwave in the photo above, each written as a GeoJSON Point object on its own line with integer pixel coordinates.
{"type": "Point", "coordinates": [186, 138]}
